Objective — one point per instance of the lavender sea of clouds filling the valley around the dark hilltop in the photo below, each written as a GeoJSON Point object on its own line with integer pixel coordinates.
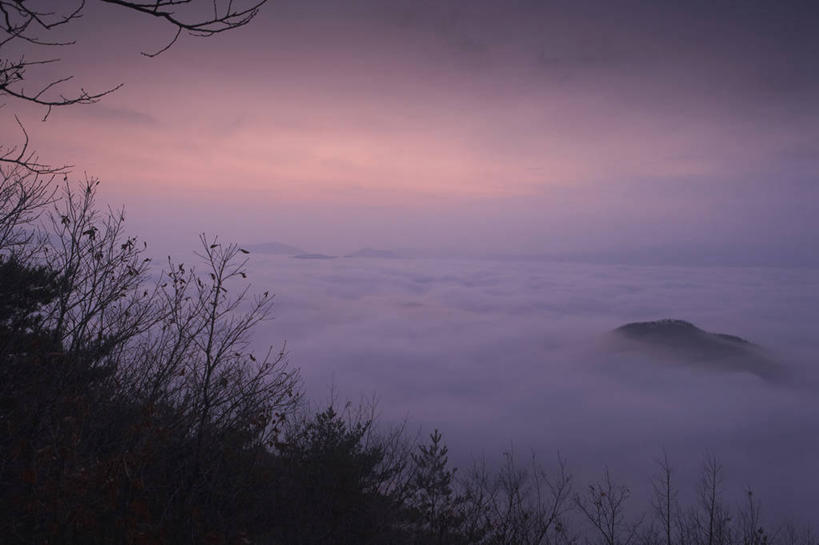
{"type": "Point", "coordinates": [512, 354]}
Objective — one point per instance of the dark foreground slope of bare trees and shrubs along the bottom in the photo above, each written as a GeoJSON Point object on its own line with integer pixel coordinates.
{"type": "Point", "coordinates": [132, 411]}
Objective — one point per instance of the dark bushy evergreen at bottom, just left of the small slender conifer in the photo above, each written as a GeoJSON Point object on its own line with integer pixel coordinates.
{"type": "Point", "coordinates": [329, 486]}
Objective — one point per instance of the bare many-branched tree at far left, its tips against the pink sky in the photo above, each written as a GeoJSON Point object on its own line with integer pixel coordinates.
{"type": "Point", "coordinates": [103, 301]}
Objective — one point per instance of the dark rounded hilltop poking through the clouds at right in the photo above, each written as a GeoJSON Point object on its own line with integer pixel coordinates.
{"type": "Point", "coordinates": [683, 342]}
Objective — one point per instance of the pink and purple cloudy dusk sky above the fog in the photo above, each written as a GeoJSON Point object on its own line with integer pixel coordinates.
{"type": "Point", "coordinates": [634, 132]}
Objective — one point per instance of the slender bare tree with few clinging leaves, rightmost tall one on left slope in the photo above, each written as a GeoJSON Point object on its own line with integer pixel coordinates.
{"type": "Point", "coordinates": [228, 385]}
